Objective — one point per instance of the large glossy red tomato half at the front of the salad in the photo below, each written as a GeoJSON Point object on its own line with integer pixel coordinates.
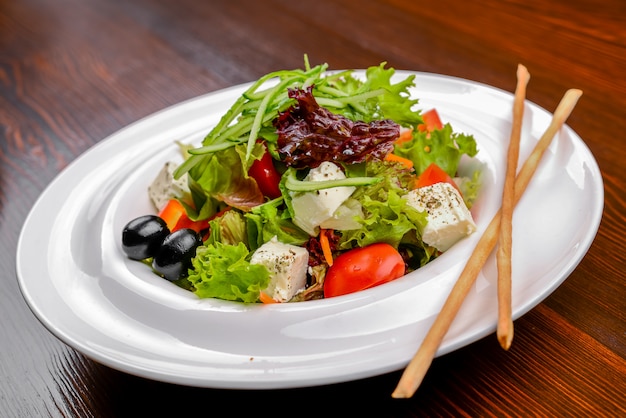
{"type": "Point", "coordinates": [362, 268]}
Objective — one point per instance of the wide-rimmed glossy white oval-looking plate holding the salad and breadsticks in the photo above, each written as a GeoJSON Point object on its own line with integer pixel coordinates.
{"type": "Point", "coordinates": [77, 281]}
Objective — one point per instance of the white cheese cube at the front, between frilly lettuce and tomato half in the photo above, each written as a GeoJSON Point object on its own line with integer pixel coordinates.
{"type": "Point", "coordinates": [287, 265]}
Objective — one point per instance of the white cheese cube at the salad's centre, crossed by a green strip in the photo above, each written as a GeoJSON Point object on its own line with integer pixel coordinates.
{"type": "Point", "coordinates": [311, 209]}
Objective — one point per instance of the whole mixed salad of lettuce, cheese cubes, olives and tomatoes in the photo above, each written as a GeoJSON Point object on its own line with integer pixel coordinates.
{"type": "Point", "coordinates": [313, 184]}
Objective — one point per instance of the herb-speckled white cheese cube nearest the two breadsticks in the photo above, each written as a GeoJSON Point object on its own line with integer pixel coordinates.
{"type": "Point", "coordinates": [449, 219]}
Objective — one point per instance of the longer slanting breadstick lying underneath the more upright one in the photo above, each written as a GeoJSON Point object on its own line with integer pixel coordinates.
{"type": "Point", "coordinates": [418, 366]}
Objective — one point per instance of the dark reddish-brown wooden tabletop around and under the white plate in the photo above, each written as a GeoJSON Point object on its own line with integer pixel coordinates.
{"type": "Point", "coordinates": [74, 71]}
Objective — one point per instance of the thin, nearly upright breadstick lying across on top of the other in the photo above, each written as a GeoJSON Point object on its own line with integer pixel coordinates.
{"type": "Point", "coordinates": [505, 243]}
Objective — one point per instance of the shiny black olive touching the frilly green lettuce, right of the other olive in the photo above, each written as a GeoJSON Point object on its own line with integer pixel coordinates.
{"type": "Point", "coordinates": [173, 258]}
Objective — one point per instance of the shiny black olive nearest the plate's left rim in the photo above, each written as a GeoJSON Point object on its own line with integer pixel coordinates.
{"type": "Point", "coordinates": [142, 236]}
